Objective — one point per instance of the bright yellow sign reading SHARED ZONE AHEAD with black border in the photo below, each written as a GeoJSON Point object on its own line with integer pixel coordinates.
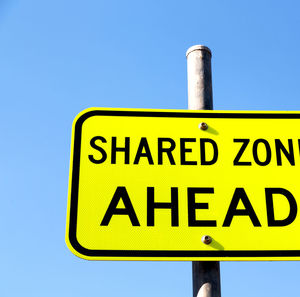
{"type": "Point", "coordinates": [184, 185]}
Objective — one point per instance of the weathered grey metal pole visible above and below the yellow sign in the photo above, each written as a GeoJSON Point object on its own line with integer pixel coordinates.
{"type": "Point", "coordinates": [206, 275]}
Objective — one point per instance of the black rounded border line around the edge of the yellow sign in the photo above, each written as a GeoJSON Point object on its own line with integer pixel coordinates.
{"type": "Point", "coordinates": [156, 253]}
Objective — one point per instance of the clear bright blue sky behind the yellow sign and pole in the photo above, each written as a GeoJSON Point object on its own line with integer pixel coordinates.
{"type": "Point", "coordinates": [60, 57]}
